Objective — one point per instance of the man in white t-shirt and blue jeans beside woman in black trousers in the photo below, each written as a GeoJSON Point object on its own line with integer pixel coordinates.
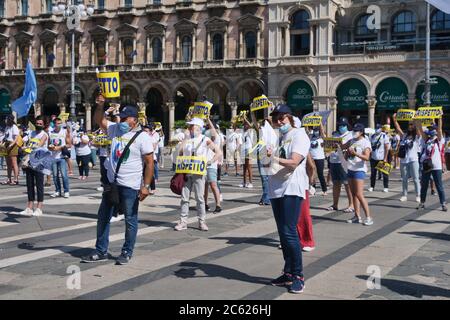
{"type": "Point", "coordinates": [58, 138]}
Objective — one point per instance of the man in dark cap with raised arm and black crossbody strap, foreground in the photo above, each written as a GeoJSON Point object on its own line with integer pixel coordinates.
{"type": "Point", "coordinates": [132, 181]}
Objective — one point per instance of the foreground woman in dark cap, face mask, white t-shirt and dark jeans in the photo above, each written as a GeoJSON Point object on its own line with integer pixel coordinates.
{"type": "Point", "coordinates": [287, 190]}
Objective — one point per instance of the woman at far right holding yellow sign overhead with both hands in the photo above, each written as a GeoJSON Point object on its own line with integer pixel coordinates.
{"type": "Point", "coordinates": [432, 160]}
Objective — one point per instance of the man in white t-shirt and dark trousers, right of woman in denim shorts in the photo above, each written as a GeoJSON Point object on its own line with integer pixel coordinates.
{"type": "Point", "coordinates": [380, 142]}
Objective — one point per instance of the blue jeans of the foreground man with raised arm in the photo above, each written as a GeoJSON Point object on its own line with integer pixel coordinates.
{"type": "Point", "coordinates": [129, 207]}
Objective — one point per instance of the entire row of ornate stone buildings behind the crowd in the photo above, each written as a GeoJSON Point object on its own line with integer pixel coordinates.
{"type": "Point", "coordinates": [310, 54]}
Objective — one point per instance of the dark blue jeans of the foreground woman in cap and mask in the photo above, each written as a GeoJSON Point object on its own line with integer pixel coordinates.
{"type": "Point", "coordinates": [286, 211]}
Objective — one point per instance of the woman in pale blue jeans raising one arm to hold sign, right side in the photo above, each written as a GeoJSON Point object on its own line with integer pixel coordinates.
{"type": "Point", "coordinates": [409, 160]}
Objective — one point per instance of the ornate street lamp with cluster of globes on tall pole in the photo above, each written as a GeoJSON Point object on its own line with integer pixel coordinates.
{"type": "Point", "coordinates": [73, 12]}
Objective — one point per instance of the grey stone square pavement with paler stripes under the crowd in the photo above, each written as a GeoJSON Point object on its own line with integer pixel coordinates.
{"type": "Point", "coordinates": [405, 252]}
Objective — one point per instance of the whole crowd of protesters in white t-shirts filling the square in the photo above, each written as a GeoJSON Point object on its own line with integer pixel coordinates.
{"type": "Point", "coordinates": [289, 167]}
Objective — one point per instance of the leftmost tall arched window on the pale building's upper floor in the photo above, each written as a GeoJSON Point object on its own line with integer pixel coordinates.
{"type": "Point", "coordinates": [300, 33]}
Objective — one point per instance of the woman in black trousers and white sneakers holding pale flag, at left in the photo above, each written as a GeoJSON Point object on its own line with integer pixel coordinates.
{"type": "Point", "coordinates": [35, 179]}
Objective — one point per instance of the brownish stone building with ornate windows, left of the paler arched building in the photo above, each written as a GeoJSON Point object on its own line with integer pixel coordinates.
{"type": "Point", "coordinates": [169, 54]}
